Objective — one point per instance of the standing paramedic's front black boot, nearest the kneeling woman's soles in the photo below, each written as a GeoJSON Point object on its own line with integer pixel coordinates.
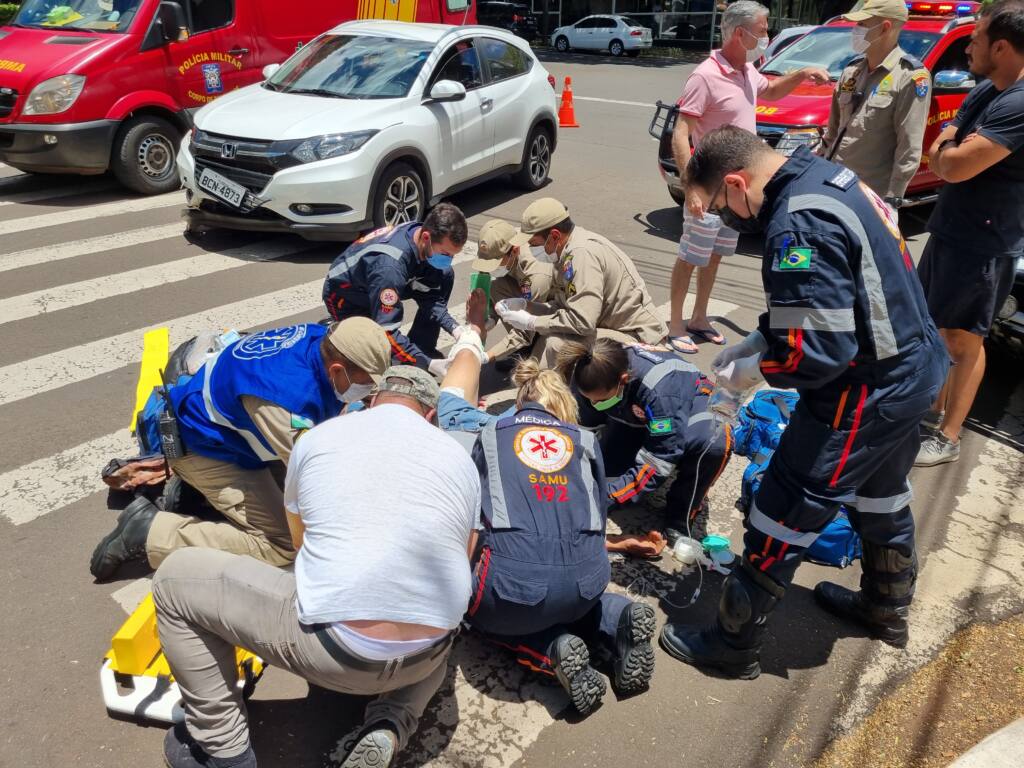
{"type": "Point", "coordinates": [733, 645]}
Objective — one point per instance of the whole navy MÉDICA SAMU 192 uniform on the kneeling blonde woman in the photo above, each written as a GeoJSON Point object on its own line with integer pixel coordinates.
{"type": "Point", "coordinates": [542, 570]}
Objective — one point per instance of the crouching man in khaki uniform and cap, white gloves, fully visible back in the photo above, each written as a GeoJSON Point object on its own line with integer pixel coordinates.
{"type": "Point", "coordinates": [598, 291]}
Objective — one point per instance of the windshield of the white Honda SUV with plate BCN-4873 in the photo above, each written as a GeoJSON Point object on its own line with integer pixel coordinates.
{"type": "Point", "coordinates": [353, 67]}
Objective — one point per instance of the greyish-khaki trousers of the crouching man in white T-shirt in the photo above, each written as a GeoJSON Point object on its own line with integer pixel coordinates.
{"type": "Point", "coordinates": [210, 603]}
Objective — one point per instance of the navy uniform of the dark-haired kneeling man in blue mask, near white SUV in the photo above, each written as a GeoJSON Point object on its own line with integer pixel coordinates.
{"type": "Point", "coordinates": [375, 275]}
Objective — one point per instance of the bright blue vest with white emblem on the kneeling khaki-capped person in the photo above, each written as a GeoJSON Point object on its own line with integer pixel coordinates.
{"type": "Point", "coordinates": [282, 366]}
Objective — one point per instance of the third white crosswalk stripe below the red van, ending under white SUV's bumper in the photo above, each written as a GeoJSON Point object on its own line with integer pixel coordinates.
{"type": "Point", "coordinates": [84, 292]}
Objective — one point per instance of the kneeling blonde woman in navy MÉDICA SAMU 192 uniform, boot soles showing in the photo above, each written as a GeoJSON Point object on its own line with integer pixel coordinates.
{"type": "Point", "coordinates": [541, 568]}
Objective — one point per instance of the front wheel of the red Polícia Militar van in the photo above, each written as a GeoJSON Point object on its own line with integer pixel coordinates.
{"type": "Point", "coordinates": [144, 156]}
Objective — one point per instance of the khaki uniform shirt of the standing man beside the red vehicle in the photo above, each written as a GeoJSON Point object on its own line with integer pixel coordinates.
{"type": "Point", "coordinates": [877, 122]}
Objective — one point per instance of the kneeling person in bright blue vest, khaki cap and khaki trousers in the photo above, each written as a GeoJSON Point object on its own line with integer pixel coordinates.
{"type": "Point", "coordinates": [239, 418]}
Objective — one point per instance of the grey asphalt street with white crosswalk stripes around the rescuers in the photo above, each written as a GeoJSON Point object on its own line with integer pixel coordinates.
{"type": "Point", "coordinates": [86, 269]}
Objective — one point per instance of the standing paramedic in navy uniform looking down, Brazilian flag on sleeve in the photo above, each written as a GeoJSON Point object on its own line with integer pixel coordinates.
{"type": "Point", "coordinates": [848, 328]}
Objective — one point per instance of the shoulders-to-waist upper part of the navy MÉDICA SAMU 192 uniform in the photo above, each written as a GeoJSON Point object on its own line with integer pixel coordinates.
{"type": "Point", "coordinates": [543, 492]}
